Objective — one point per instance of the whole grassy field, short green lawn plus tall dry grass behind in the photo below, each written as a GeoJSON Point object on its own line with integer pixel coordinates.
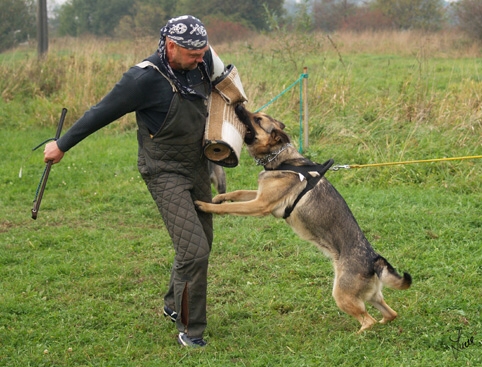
{"type": "Point", "coordinates": [83, 284]}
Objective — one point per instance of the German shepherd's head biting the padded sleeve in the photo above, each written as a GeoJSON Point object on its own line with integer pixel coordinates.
{"type": "Point", "coordinates": [264, 134]}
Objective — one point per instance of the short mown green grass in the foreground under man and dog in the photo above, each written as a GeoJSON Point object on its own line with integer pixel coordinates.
{"type": "Point", "coordinates": [83, 284]}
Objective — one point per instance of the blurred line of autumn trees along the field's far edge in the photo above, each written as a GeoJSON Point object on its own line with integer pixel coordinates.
{"type": "Point", "coordinates": [228, 20]}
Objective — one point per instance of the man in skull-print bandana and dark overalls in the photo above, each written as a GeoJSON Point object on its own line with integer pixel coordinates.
{"type": "Point", "coordinates": [169, 93]}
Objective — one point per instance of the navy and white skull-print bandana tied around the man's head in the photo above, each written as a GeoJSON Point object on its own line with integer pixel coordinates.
{"type": "Point", "coordinates": [188, 32]}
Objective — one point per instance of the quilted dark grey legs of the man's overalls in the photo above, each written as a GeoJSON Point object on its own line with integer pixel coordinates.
{"type": "Point", "coordinates": [191, 233]}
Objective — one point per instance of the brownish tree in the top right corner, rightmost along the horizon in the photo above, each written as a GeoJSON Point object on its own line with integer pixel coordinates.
{"type": "Point", "coordinates": [469, 17]}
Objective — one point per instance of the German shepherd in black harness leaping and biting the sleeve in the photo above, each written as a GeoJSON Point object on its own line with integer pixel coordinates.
{"type": "Point", "coordinates": [316, 212]}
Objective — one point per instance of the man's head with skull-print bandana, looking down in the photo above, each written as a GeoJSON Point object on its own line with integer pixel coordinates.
{"type": "Point", "coordinates": [185, 41]}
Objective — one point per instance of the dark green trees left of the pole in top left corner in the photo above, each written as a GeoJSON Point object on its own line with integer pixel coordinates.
{"type": "Point", "coordinates": [17, 22]}
